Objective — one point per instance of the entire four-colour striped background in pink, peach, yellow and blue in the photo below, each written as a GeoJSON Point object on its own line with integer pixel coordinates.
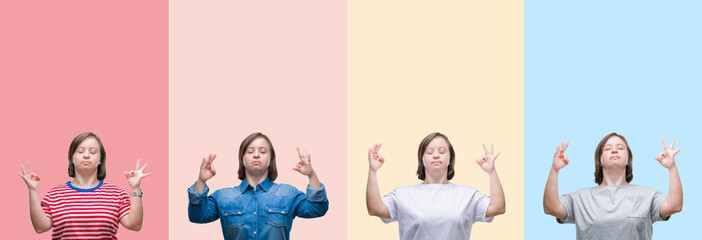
{"type": "Point", "coordinates": [169, 82]}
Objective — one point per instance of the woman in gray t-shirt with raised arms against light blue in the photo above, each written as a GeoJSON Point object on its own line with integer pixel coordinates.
{"type": "Point", "coordinates": [614, 209]}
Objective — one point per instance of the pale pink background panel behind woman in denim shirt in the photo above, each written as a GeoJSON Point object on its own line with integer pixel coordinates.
{"type": "Point", "coordinates": [238, 67]}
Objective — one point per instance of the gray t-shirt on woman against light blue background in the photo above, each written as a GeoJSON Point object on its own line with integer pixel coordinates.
{"type": "Point", "coordinates": [613, 212]}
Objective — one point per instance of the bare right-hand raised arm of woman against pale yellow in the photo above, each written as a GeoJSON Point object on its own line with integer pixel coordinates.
{"type": "Point", "coordinates": [497, 195]}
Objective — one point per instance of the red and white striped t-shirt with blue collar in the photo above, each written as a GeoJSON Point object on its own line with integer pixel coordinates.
{"type": "Point", "coordinates": [85, 213]}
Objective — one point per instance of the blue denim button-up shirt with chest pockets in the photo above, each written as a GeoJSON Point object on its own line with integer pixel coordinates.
{"type": "Point", "coordinates": [263, 212]}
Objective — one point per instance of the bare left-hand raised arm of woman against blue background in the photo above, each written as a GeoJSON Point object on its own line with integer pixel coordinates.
{"type": "Point", "coordinates": [552, 204]}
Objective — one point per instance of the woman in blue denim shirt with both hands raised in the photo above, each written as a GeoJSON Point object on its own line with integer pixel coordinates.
{"type": "Point", "coordinates": [258, 208]}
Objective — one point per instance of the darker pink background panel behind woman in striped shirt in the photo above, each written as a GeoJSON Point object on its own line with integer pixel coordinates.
{"type": "Point", "coordinates": [72, 66]}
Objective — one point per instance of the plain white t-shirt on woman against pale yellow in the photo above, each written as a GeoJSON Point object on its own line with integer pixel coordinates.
{"type": "Point", "coordinates": [436, 211]}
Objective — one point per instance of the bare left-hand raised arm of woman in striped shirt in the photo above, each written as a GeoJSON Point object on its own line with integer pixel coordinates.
{"type": "Point", "coordinates": [40, 221]}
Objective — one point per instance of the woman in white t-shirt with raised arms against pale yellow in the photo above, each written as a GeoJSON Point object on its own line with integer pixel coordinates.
{"type": "Point", "coordinates": [436, 208]}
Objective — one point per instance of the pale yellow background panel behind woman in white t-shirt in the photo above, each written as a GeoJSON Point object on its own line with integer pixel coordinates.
{"type": "Point", "coordinates": [417, 67]}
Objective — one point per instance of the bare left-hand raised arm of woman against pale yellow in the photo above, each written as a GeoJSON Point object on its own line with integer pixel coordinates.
{"type": "Point", "coordinates": [374, 202]}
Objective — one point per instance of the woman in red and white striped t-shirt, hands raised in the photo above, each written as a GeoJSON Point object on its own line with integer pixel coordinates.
{"type": "Point", "coordinates": [87, 207]}
